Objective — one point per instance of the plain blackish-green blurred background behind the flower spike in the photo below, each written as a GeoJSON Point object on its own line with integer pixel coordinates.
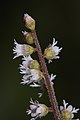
{"type": "Point", "coordinates": [54, 18]}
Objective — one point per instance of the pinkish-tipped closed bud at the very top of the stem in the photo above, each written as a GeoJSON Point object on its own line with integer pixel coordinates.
{"type": "Point", "coordinates": [29, 22]}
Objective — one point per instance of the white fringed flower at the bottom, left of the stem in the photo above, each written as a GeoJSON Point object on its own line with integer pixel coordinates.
{"type": "Point", "coordinates": [37, 110]}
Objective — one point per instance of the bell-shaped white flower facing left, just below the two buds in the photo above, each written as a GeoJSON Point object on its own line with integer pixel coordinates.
{"type": "Point", "coordinates": [22, 49]}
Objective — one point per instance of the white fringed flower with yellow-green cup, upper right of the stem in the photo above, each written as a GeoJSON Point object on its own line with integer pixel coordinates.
{"type": "Point", "coordinates": [52, 51]}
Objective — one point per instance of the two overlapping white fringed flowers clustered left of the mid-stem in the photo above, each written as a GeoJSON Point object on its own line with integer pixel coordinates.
{"type": "Point", "coordinates": [31, 72]}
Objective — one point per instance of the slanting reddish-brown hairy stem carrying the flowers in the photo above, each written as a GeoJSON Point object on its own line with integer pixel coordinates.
{"type": "Point", "coordinates": [51, 93]}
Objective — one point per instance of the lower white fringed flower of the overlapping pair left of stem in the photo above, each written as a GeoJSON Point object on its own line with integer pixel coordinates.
{"type": "Point", "coordinates": [32, 77]}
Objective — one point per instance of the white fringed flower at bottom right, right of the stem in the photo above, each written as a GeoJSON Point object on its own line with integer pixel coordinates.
{"type": "Point", "coordinates": [68, 111]}
